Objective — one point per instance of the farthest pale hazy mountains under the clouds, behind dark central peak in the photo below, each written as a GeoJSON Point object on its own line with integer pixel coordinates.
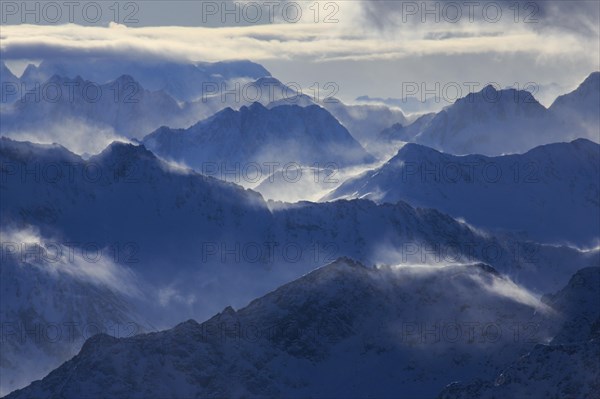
{"type": "Point", "coordinates": [489, 122]}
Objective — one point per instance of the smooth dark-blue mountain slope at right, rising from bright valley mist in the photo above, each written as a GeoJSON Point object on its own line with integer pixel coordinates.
{"type": "Point", "coordinates": [549, 193]}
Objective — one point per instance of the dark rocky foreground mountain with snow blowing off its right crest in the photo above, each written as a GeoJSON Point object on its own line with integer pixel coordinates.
{"type": "Point", "coordinates": [341, 331]}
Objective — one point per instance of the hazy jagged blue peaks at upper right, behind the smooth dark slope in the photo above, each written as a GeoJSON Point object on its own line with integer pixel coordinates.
{"type": "Point", "coordinates": [495, 122]}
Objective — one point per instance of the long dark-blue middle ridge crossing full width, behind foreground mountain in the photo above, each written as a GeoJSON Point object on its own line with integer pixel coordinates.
{"type": "Point", "coordinates": [62, 195]}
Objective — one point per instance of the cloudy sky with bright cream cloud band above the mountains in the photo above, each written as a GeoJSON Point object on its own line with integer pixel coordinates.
{"type": "Point", "coordinates": [378, 48]}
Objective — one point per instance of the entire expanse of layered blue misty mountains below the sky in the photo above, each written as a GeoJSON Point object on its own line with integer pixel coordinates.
{"type": "Point", "coordinates": [443, 255]}
